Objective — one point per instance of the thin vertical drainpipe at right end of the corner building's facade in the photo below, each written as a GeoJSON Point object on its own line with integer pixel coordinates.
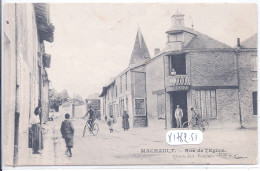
{"type": "Point", "coordinates": [238, 81]}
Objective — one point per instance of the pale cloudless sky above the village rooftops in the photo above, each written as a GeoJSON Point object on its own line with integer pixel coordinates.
{"type": "Point", "coordinates": [93, 42]}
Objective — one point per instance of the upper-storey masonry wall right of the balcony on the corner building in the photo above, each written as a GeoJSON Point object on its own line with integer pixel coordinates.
{"type": "Point", "coordinates": [212, 68]}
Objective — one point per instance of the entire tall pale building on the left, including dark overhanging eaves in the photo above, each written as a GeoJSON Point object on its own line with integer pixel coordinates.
{"type": "Point", "coordinates": [25, 28]}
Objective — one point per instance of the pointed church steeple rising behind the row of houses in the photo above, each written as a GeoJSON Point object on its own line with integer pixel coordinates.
{"type": "Point", "coordinates": [140, 50]}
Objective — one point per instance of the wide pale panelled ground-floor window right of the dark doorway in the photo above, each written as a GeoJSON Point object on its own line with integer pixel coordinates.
{"type": "Point", "coordinates": [205, 103]}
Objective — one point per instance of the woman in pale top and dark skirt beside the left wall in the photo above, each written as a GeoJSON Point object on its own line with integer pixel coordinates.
{"type": "Point", "coordinates": [36, 132]}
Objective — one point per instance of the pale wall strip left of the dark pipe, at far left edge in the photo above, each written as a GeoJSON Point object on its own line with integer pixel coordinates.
{"type": "Point", "coordinates": [9, 82]}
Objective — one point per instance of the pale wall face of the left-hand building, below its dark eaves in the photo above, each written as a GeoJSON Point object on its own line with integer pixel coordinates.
{"type": "Point", "coordinates": [23, 63]}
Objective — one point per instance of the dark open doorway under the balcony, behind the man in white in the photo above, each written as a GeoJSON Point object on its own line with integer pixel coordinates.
{"type": "Point", "coordinates": [179, 98]}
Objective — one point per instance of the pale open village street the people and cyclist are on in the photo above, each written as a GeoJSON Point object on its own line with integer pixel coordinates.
{"type": "Point", "coordinates": [124, 147]}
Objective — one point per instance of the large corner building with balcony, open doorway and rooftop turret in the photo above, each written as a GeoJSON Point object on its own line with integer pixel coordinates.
{"type": "Point", "coordinates": [194, 70]}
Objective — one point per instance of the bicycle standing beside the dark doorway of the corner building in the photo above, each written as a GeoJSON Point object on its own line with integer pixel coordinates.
{"type": "Point", "coordinates": [202, 124]}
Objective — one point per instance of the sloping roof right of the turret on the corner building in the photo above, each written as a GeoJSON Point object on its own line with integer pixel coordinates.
{"type": "Point", "coordinates": [202, 41]}
